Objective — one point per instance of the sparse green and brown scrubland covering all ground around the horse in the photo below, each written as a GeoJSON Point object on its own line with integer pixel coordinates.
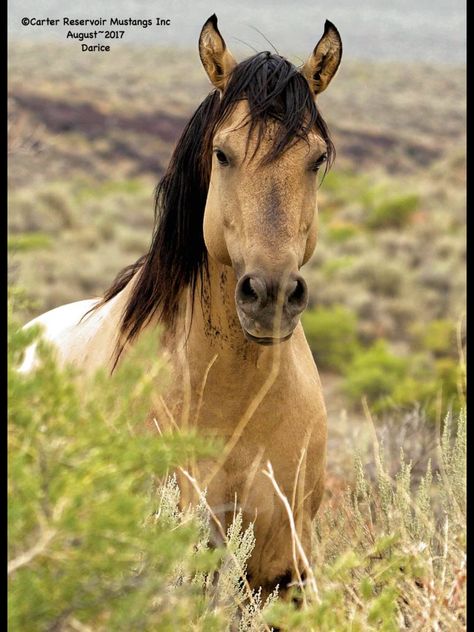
{"type": "Point", "coordinates": [97, 540]}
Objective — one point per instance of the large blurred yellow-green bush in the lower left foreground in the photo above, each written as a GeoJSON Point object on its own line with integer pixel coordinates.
{"type": "Point", "coordinates": [79, 497]}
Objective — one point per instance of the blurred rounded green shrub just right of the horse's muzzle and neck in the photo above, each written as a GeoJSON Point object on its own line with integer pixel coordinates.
{"type": "Point", "coordinates": [331, 335]}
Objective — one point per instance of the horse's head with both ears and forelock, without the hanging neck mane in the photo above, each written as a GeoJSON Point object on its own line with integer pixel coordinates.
{"type": "Point", "coordinates": [268, 142]}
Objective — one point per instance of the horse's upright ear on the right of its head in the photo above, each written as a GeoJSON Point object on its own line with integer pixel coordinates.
{"type": "Point", "coordinates": [324, 62]}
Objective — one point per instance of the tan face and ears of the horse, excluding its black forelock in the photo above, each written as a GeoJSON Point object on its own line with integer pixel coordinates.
{"type": "Point", "coordinates": [261, 216]}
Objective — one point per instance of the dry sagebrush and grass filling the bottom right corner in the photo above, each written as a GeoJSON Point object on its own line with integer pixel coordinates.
{"type": "Point", "coordinates": [390, 553]}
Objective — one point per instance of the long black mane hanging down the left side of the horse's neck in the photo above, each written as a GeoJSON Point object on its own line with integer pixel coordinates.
{"type": "Point", "coordinates": [177, 252]}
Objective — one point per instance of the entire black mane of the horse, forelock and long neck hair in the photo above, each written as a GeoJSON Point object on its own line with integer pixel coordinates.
{"type": "Point", "coordinates": [177, 257]}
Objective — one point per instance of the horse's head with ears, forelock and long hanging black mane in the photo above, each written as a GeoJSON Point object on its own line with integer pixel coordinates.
{"type": "Point", "coordinates": [241, 188]}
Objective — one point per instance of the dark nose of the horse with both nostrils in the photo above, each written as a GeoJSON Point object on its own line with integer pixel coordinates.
{"type": "Point", "coordinates": [254, 292]}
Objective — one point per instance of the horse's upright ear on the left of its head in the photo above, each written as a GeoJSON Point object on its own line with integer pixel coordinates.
{"type": "Point", "coordinates": [216, 58]}
